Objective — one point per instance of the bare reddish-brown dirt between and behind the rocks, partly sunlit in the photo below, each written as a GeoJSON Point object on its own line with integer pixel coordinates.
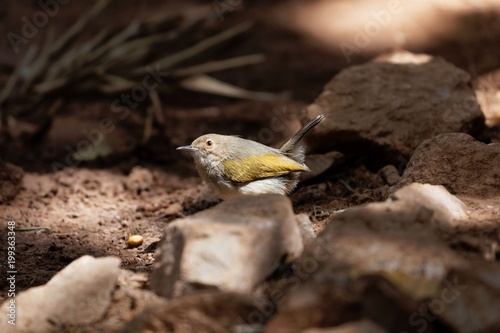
{"type": "Point", "coordinates": [93, 207]}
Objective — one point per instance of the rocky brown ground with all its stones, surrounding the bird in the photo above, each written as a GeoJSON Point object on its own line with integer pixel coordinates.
{"type": "Point", "coordinates": [395, 229]}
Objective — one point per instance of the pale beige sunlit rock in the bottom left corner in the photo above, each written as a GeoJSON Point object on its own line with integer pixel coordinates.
{"type": "Point", "coordinates": [79, 294]}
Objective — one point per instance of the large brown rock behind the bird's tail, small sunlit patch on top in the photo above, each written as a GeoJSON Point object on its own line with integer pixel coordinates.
{"type": "Point", "coordinates": [386, 109]}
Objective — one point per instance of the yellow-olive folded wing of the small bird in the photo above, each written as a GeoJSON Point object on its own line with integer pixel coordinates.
{"type": "Point", "coordinates": [261, 166]}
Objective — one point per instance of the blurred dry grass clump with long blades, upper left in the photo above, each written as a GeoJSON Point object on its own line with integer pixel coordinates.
{"type": "Point", "coordinates": [117, 60]}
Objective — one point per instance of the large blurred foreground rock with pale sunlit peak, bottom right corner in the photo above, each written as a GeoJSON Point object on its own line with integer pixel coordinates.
{"type": "Point", "coordinates": [390, 262]}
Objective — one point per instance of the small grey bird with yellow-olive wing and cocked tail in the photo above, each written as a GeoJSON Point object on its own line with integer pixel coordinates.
{"type": "Point", "coordinates": [232, 166]}
